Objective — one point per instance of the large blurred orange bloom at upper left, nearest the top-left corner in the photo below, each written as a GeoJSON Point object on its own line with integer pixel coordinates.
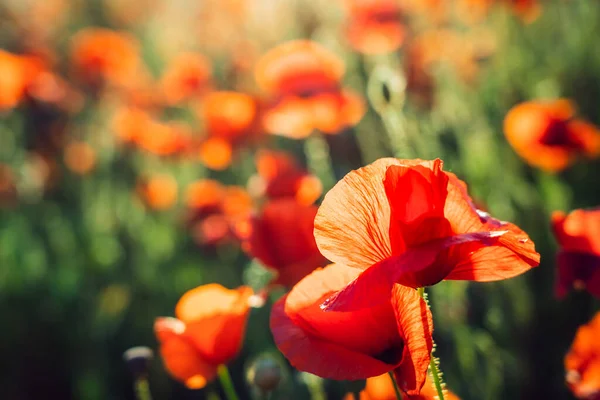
{"type": "Point", "coordinates": [102, 56]}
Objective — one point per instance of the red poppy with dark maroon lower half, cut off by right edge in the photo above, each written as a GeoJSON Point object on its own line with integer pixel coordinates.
{"type": "Point", "coordinates": [578, 261]}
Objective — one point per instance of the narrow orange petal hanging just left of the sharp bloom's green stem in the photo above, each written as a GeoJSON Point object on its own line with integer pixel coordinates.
{"type": "Point", "coordinates": [415, 325]}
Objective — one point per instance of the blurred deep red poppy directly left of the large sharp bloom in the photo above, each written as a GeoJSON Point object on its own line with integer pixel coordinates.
{"type": "Point", "coordinates": [281, 237]}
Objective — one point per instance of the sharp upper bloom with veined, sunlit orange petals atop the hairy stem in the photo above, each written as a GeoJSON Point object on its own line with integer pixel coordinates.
{"type": "Point", "coordinates": [410, 222]}
